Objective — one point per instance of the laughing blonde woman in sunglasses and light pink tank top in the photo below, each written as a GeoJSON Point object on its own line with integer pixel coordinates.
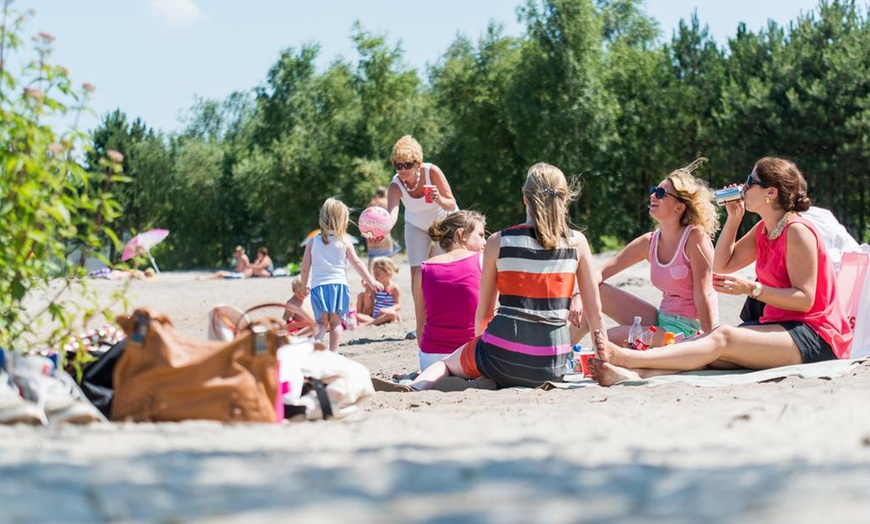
{"type": "Point", "coordinates": [678, 252]}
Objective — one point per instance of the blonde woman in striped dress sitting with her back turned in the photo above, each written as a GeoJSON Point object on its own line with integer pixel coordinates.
{"type": "Point", "coordinates": [531, 270]}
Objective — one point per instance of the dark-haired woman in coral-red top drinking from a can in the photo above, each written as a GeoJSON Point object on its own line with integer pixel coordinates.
{"type": "Point", "coordinates": [803, 319]}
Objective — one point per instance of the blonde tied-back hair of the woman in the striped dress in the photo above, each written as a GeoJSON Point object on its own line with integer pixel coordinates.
{"type": "Point", "coordinates": [548, 194]}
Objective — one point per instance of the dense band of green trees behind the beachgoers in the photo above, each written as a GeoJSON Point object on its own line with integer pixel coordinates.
{"type": "Point", "coordinates": [592, 87]}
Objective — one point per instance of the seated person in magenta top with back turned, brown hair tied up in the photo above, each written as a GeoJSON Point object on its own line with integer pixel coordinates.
{"type": "Point", "coordinates": [448, 290]}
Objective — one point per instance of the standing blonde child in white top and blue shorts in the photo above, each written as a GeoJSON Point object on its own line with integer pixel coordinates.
{"type": "Point", "coordinates": [325, 262]}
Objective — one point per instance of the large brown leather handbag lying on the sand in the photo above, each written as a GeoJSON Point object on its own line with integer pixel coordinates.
{"type": "Point", "coordinates": [165, 376]}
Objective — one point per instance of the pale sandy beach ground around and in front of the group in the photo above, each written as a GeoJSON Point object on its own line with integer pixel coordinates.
{"type": "Point", "coordinates": [793, 450]}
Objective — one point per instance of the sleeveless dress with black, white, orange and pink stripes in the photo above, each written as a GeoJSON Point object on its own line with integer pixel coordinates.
{"type": "Point", "coordinates": [527, 342]}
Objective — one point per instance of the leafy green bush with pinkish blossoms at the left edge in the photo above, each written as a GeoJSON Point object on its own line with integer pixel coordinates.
{"type": "Point", "coordinates": [50, 206]}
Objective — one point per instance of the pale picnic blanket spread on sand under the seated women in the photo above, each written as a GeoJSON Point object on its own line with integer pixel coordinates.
{"type": "Point", "coordinates": [717, 378]}
